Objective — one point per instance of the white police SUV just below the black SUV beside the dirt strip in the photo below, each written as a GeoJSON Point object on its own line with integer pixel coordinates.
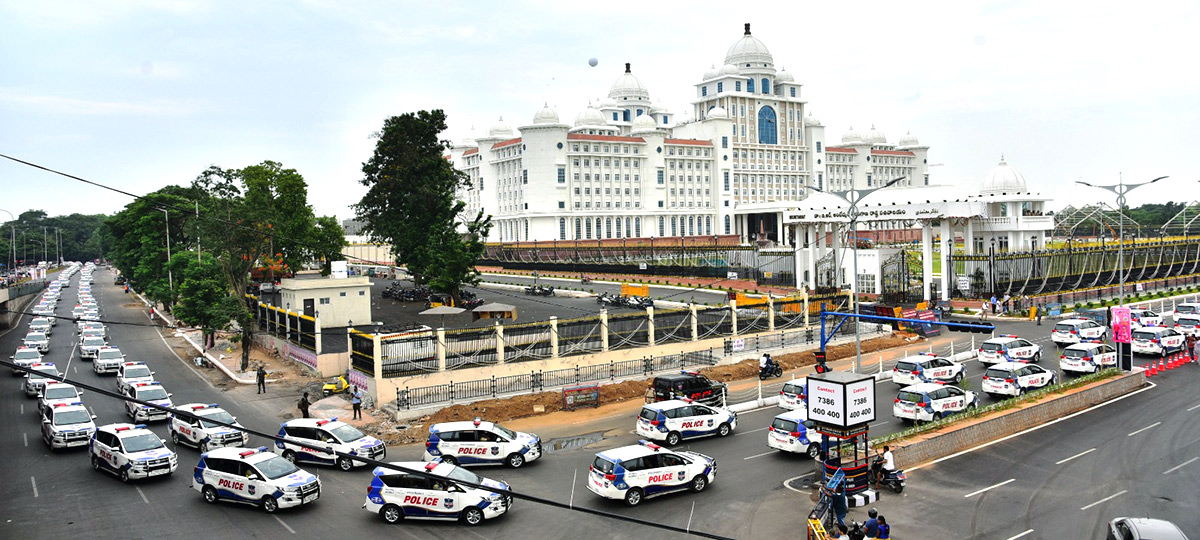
{"type": "Point", "coordinates": [675, 421]}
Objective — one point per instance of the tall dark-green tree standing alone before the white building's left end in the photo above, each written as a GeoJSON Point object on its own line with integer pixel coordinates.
{"type": "Point", "coordinates": [411, 202]}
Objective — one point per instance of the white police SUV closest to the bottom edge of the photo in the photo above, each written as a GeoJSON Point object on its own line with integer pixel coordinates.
{"type": "Point", "coordinates": [397, 496]}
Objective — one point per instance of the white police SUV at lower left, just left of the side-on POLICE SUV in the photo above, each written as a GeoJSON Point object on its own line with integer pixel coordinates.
{"type": "Point", "coordinates": [130, 452]}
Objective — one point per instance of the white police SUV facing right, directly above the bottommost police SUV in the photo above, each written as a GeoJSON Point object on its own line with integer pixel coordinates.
{"type": "Point", "coordinates": [481, 443]}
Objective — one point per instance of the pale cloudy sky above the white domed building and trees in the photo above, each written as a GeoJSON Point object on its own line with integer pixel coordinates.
{"type": "Point", "coordinates": [146, 93]}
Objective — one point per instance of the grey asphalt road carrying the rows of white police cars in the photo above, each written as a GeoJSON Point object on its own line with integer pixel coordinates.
{"type": "Point", "coordinates": [58, 495]}
